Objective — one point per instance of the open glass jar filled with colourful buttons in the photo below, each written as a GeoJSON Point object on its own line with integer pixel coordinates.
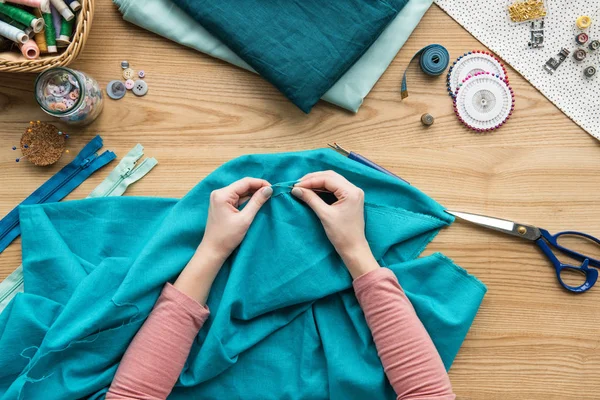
{"type": "Point", "coordinates": [72, 96]}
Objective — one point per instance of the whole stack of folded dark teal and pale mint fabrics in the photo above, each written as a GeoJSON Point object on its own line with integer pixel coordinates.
{"type": "Point", "coordinates": [308, 49]}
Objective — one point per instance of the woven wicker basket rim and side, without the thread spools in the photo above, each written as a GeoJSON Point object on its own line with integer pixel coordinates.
{"type": "Point", "coordinates": [46, 61]}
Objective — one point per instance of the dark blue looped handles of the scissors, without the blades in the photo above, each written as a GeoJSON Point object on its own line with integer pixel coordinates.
{"type": "Point", "coordinates": [591, 274]}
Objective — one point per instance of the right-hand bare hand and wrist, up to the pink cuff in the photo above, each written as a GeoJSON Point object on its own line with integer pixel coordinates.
{"type": "Point", "coordinates": [344, 220]}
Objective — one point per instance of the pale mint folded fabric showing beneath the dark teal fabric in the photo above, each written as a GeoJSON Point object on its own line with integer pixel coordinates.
{"type": "Point", "coordinates": [166, 19]}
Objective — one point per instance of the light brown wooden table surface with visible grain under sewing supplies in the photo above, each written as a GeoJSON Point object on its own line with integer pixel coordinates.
{"type": "Point", "coordinates": [530, 340]}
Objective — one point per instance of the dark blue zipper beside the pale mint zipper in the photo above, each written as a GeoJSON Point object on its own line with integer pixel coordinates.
{"type": "Point", "coordinates": [58, 186]}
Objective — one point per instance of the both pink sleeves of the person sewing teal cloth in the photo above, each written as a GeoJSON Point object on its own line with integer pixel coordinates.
{"type": "Point", "coordinates": [152, 363]}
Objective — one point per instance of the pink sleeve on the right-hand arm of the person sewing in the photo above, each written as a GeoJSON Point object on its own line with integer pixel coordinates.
{"type": "Point", "coordinates": [410, 360]}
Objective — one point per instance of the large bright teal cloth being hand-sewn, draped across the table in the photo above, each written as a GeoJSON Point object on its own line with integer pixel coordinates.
{"type": "Point", "coordinates": [284, 323]}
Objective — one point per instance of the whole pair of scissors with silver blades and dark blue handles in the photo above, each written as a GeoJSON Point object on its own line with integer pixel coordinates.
{"type": "Point", "coordinates": [546, 242]}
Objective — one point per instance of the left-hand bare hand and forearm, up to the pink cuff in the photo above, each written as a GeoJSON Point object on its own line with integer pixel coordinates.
{"type": "Point", "coordinates": [226, 227]}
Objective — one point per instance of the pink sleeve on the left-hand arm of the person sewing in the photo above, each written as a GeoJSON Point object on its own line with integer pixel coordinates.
{"type": "Point", "coordinates": [152, 363]}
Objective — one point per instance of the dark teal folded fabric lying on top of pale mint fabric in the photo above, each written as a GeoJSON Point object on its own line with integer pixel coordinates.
{"type": "Point", "coordinates": [301, 46]}
